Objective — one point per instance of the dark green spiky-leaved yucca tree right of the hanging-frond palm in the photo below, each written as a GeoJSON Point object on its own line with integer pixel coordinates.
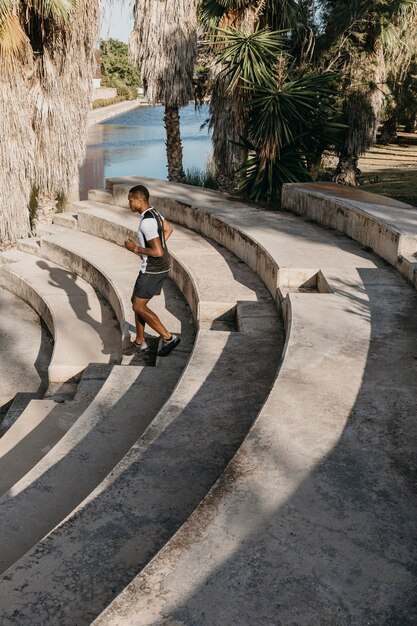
{"type": "Point", "coordinates": [289, 112]}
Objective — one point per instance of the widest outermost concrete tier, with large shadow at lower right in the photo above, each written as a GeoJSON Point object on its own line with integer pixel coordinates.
{"type": "Point", "coordinates": [314, 520]}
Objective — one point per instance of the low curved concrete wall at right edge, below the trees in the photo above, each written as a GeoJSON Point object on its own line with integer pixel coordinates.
{"type": "Point", "coordinates": [387, 226]}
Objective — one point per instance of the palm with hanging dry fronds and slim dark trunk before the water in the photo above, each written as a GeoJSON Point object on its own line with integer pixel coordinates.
{"type": "Point", "coordinates": [163, 44]}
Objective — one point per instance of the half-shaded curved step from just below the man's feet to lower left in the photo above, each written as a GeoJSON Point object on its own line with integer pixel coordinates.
{"type": "Point", "coordinates": [80, 460]}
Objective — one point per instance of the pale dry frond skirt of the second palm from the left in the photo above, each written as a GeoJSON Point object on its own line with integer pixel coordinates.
{"type": "Point", "coordinates": [61, 92]}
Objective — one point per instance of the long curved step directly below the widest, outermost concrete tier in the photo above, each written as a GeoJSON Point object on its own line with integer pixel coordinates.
{"type": "Point", "coordinates": [170, 468]}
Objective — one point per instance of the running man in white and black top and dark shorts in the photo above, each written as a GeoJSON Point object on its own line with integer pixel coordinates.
{"type": "Point", "coordinates": [153, 232]}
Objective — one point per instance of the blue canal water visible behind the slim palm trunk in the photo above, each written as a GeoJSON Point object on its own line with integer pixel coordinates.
{"type": "Point", "coordinates": [133, 144]}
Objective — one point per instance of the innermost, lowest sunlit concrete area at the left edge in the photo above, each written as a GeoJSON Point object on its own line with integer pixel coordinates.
{"type": "Point", "coordinates": [24, 355]}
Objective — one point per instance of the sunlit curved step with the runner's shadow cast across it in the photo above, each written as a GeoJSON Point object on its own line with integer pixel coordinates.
{"type": "Point", "coordinates": [81, 324]}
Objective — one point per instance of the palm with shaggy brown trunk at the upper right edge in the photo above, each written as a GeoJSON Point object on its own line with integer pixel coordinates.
{"type": "Point", "coordinates": [361, 40]}
